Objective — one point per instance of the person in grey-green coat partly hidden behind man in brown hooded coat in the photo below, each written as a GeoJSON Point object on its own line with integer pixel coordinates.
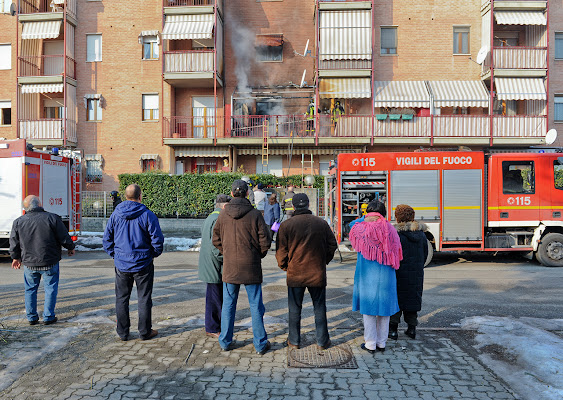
{"type": "Point", "coordinates": [210, 269]}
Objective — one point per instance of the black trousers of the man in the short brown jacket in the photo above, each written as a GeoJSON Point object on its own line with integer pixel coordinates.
{"type": "Point", "coordinates": [295, 304]}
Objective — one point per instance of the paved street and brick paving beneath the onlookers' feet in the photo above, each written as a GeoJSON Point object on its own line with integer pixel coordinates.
{"type": "Point", "coordinates": [81, 358]}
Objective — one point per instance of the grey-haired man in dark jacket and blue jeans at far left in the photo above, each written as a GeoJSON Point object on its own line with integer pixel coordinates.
{"type": "Point", "coordinates": [35, 242]}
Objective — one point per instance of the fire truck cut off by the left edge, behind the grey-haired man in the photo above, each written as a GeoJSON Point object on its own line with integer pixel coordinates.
{"type": "Point", "coordinates": [54, 178]}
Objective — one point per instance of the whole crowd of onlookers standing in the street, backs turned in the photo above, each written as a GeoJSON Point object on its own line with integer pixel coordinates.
{"type": "Point", "coordinates": [236, 236]}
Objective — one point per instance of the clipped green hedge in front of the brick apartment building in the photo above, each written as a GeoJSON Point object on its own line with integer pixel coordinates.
{"type": "Point", "coordinates": [193, 195]}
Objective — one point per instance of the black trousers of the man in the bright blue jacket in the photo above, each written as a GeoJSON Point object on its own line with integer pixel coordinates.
{"type": "Point", "coordinates": [123, 286]}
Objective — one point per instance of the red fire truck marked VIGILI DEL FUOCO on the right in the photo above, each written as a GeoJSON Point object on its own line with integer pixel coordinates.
{"type": "Point", "coordinates": [470, 200]}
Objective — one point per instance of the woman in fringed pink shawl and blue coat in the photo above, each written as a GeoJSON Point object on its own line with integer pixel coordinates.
{"type": "Point", "coordinates": [375, 283]}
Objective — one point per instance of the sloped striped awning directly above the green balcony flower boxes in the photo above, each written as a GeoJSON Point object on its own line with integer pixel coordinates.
{"type": "Point", "coordinates": [401, 94]}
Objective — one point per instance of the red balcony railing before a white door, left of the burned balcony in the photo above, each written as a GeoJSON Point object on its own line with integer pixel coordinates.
{"type": "Point", "coordinates": [203, 127]}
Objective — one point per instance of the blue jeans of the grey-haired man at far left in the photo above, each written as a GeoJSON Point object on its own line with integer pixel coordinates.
{"type": "Point", "coordinates": [51, 286]}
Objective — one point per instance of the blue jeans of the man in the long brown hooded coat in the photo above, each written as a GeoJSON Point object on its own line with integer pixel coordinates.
{"type": "Point", "coordinates": [230, 297]}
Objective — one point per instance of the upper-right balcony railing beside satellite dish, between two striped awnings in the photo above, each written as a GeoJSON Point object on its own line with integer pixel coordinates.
{"type": "Point", "coordinates": [520, 57]}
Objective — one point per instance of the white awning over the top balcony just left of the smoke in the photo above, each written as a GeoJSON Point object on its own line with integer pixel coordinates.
{"type": "Point", "coordinates": [193, 26]}
